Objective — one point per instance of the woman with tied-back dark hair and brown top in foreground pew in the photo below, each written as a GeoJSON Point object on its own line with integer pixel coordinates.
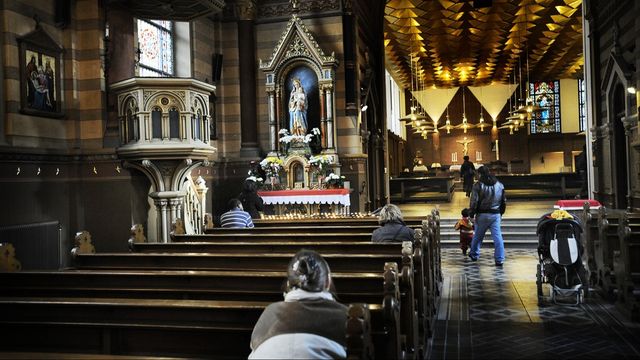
{"type": "Point", "coordinates": [309, 323]}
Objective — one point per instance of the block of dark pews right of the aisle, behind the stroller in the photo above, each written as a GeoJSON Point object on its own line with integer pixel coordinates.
{"type": "Point", "coordinates": [612, 239]}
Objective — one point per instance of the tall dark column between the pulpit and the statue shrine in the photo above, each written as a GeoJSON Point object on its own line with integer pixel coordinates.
{"type": "Point", "coordinates": [246, 10]}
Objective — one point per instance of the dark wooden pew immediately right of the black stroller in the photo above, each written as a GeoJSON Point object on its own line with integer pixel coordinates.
{"type": "Point", "coordinates": [607, 250]}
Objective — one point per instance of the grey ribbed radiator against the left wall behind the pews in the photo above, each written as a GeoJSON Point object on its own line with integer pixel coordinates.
{"type": "Point", "coordinates": [38, 246]}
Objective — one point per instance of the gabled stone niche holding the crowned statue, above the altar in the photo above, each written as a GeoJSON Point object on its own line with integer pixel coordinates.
{"type": "Point", "coordinates": [300, 94]}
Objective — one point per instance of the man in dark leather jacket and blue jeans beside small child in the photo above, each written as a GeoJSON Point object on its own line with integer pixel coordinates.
{"type": "Point", "coordinates": [488, 202]}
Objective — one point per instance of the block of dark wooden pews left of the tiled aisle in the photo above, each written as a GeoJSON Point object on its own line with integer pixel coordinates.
{"type": "Point", "coordinates": [200, 295]}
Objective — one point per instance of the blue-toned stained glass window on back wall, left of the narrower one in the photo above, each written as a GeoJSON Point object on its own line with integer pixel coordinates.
{"type": "Point", "coordinates": [546, 94]}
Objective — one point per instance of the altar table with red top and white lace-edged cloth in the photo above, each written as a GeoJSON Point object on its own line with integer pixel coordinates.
{"type": "Point", "coordinates": [310, 199]}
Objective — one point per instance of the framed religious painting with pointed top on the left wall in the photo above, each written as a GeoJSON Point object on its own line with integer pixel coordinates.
{"type": "Point", "coordinates": [40, 58]}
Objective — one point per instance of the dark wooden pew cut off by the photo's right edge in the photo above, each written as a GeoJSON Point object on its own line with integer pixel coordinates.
{"type": "Point", "coordinates": [627, 269]}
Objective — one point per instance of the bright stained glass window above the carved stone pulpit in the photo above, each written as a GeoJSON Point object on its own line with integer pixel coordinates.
{"type": "Point", "coordinates": [155, 41]}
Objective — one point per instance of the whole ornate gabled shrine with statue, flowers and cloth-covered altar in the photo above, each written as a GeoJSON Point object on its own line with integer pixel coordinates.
{"type": "Point", "coordinates": [300, 81]}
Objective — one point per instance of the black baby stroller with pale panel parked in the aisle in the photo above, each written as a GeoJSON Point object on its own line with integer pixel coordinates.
{"type": "Point", "coordinates": [560, 260]}
